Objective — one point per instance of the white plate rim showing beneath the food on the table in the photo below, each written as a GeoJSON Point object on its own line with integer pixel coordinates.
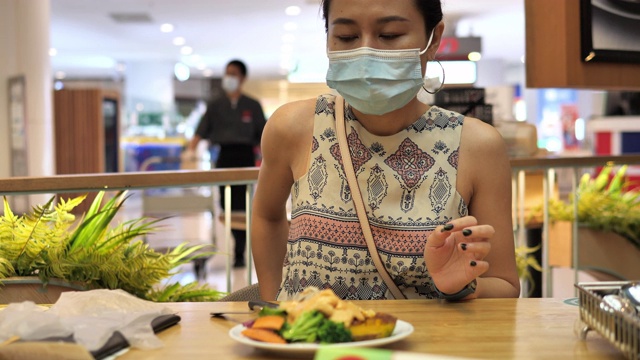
{"type": "Point", "coordinates": [401, 331]}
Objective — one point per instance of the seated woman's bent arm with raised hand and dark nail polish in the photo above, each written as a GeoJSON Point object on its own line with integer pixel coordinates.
{"type": "Point", "coordinates": [481, 245]}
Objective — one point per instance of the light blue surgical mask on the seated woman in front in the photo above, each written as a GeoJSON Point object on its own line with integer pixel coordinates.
{"type": "Point", "coordinates": [376, 81]}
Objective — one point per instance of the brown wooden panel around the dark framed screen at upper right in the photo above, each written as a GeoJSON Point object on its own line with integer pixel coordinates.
{"type": "Point", "coordinates": [553, 57]}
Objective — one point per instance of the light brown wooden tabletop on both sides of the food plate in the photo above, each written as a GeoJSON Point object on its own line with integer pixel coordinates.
{"type": "Point", "coordinates": [483, 329]}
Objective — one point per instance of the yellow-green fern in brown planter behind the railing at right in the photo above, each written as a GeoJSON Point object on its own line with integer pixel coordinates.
{"type": "Point", "coordinates": [608, 226]}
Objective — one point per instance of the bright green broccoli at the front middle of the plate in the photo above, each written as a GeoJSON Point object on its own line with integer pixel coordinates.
{"type": "Point", "coordinates": [312, 326]}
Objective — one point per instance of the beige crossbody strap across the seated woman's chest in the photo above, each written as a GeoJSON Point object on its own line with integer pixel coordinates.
{"type": "Point", "coordinates": [356, 195]}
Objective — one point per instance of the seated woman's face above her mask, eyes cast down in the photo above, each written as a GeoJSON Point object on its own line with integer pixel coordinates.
{"type": "Point", "coordinates": [380, 24]}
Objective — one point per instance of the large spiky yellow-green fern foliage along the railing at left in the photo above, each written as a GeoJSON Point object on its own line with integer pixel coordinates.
{"type": "Point", "coordinates": [50, 243]}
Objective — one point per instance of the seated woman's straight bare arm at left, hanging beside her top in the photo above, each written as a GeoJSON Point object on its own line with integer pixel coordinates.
{"type": "Point", "coordinates": [286, 140]}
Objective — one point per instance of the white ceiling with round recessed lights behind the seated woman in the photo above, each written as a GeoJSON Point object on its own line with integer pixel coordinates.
{"type": "Point", "coordinates": [90, 43]}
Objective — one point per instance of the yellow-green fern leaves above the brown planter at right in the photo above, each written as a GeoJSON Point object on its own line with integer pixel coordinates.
{"type": "Point", "coordinates": [604, 203]}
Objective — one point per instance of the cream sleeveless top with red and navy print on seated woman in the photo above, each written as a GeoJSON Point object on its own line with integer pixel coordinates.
{"type": "Point", "coordinates": [408, 182]}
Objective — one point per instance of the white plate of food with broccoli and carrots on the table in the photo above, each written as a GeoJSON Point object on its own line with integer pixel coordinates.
{"type": "Point", "coordinates": [319, 318]}
